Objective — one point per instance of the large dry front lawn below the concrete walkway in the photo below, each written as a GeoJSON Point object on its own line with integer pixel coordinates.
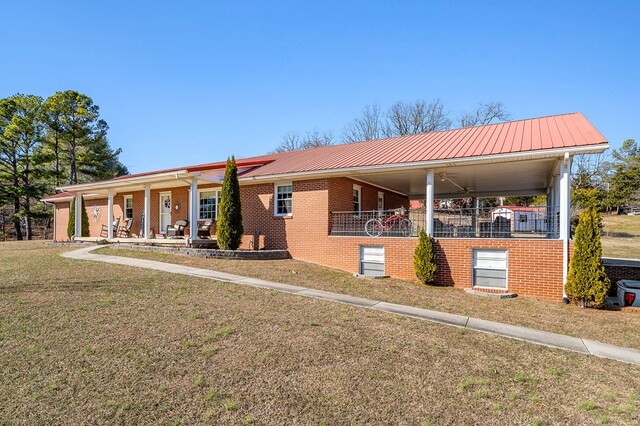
{"type": "Point", "coordinates": [274, 368]}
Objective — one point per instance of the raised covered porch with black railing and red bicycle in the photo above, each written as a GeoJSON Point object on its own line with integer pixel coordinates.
{"type": "Point", "coordinates": [432, 207]}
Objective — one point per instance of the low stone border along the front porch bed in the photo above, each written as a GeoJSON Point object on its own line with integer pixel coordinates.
{"type": "Point", "coordinates": [210, 253]}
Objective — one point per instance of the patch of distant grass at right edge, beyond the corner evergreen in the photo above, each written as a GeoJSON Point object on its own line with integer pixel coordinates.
{"type": "Point", "coordinates": [621, 236]}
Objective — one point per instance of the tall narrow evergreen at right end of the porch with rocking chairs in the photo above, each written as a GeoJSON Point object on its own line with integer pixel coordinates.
{"type": "Point", "coordinates": [229, 230]}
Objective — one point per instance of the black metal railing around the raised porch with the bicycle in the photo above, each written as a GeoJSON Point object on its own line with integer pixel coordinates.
{"type": "Point", "coordinates": [486, 222]}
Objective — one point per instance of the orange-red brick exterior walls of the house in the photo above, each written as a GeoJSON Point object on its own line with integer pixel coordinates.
{"type": "Point", "coordinates": [535, 266]}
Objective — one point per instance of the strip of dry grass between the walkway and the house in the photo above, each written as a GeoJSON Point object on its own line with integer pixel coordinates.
{"type": "Point", "coordinates": [621, 328]}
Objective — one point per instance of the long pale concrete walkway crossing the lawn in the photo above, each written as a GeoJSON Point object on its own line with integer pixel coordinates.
{"type": "Point", "coordinates": [559, 341]}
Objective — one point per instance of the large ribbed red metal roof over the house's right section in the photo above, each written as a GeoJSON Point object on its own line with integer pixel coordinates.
{"type": "Point", "coordinates": [553, 132]}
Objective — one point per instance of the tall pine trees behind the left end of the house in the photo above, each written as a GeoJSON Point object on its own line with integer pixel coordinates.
{"type": "Point", "coordinates": [48, 143]}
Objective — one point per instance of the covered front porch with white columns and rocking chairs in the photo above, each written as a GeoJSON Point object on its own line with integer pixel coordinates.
{"type": "Point", "coordinates": [174, 208]}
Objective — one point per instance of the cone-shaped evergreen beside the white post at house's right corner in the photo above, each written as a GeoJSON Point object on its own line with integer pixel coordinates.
{"type": "Point", "coordinates": [587, 283]}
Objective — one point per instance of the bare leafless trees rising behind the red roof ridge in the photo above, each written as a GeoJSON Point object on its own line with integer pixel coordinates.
{"type": "Point", "coordinates": [401, 119]}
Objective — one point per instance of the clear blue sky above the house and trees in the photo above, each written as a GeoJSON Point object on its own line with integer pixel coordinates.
{"type": "Point", "coordinates": [187, 82]}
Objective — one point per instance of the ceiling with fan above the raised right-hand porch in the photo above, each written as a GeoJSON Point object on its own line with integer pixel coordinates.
{"type": "Point", "coordinates": [487, 180]}
